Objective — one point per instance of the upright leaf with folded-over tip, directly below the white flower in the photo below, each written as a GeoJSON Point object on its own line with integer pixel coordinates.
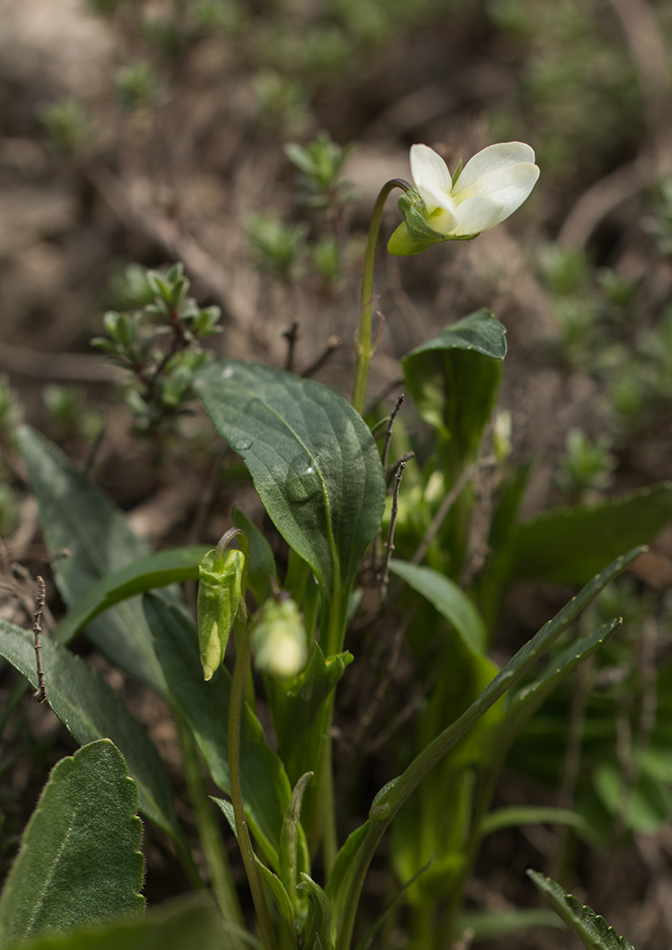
{"type": "Point", "coordinates": [453, 380]}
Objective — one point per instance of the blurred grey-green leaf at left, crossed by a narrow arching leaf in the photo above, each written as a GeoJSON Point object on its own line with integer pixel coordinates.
{"type": "Point", "coordinates": [78, 518]}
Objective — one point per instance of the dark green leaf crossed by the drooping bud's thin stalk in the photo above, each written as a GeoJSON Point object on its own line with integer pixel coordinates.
{"type": "Point", "coordinates": [205, 706]}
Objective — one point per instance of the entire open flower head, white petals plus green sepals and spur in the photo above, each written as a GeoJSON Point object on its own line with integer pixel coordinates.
{"type": "Point", "coordinates": [441, 207]}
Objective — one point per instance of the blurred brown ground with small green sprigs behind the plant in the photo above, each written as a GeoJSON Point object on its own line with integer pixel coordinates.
{"type": "Point", "coordinates": [138, 133]}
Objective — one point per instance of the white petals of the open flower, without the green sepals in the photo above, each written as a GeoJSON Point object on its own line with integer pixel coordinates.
{"type": "Point", "coordinates": [491, 186]}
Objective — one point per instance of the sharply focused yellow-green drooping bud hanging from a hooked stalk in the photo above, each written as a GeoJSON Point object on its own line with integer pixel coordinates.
{"type": "Point", "coordinates": [219, 598]}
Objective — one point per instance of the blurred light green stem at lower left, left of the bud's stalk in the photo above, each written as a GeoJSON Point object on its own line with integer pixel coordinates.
{"type": "Point", "coordinates": [208, 831]}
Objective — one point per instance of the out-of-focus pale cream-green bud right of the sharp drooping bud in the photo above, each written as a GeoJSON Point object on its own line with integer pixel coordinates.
{"type": "Point", "coordinates": [279, 639]}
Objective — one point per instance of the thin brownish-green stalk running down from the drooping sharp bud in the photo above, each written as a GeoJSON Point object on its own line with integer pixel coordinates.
{"type": "Point", "coordinates": [244, 841]}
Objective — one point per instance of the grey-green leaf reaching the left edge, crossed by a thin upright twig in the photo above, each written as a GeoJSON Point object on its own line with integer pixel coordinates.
{"type": "Point", "coordinates": [90, 709]}
